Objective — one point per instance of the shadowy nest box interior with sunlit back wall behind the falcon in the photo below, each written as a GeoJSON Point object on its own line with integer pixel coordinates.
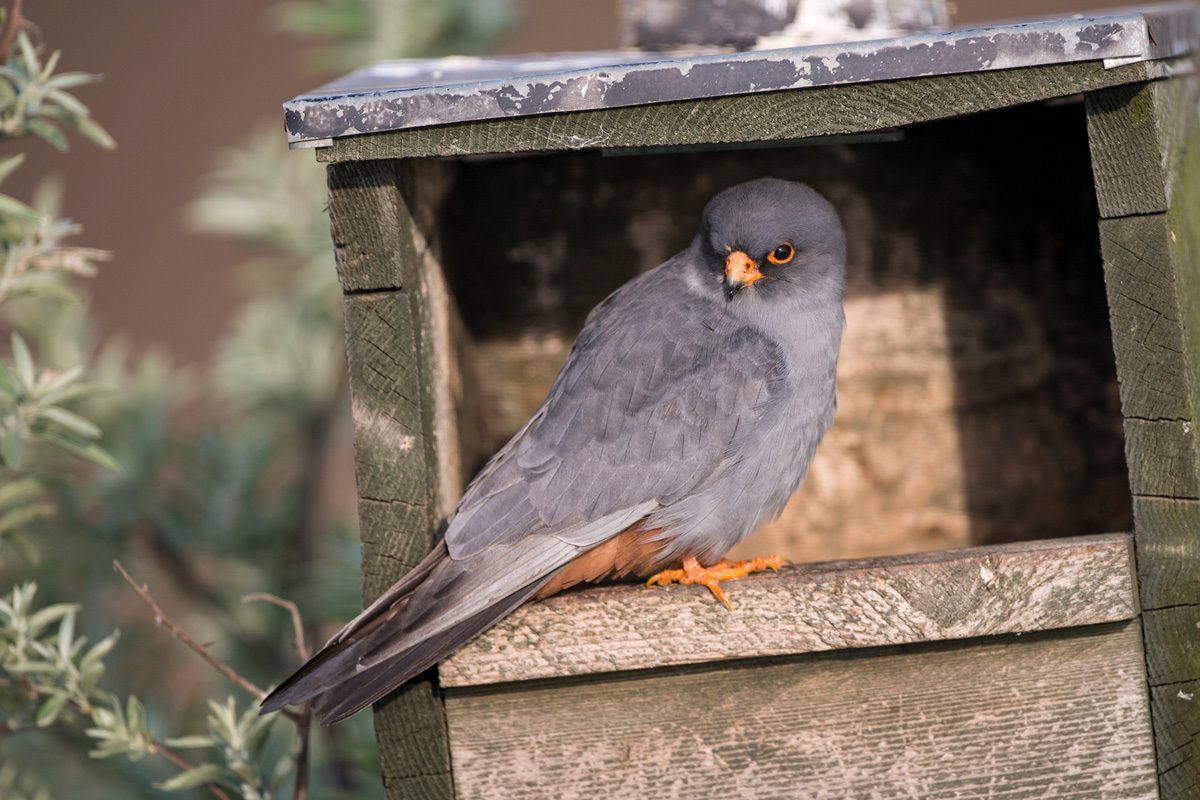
{"type": "Point", "coordinates": [979, 398]}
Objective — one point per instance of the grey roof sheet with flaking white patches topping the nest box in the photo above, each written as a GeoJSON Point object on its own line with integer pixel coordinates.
{"type": "Point", "coordinates": [399, 95]}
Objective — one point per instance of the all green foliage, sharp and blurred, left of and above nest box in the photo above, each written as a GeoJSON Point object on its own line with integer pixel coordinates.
{"type": "Point", "coordinates": [215, 478]}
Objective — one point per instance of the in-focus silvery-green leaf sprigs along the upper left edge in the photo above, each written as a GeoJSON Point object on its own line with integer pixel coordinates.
{"type": "Point", "coordinates": [37, 268]}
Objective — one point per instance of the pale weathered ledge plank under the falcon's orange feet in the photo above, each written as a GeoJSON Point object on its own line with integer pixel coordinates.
{"type": "Point", "coordinates": [842, 605]}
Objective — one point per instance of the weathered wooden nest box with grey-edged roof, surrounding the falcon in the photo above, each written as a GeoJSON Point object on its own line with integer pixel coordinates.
{"type": "Point", "coordinates": [1017, 383]}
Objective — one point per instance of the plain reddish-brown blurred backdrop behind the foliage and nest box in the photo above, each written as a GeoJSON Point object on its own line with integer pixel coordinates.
{"type": "Point", "coordinates": [185, 80]}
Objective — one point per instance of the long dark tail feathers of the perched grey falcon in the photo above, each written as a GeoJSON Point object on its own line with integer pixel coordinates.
{"type": "Point", "coordinates": [335, 679]}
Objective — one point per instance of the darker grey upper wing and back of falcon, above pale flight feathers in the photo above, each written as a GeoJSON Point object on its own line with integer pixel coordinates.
{"type": "Point", "coordinates": [646, 408]}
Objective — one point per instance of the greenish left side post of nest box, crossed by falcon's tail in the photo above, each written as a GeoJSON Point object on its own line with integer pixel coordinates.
{"type": "Point", "coordinates": [399, 412]}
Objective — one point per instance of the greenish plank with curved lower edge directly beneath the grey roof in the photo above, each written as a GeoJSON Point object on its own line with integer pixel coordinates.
{"type": "Point", "coordinates": [759, 118]}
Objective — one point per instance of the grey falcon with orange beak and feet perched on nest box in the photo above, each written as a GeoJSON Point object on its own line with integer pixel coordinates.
{"type": "Point", "coordinates": [687, 413]}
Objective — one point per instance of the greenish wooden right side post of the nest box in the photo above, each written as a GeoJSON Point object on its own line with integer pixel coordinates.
{"type": "Point", "coordinates": [1147, 160]}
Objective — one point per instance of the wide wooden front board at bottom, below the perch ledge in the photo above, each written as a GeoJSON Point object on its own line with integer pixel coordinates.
{"type": "Point", "coordinates": [1060, 715]}
